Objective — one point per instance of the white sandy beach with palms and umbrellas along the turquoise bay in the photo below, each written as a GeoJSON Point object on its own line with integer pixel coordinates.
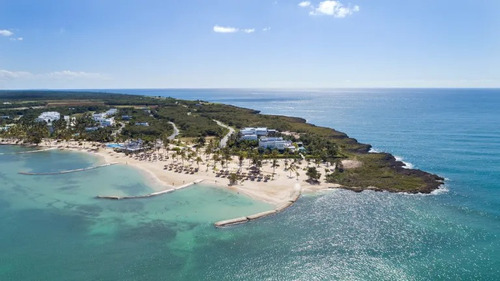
{"type": "Point", "coordinates": [282, 188]}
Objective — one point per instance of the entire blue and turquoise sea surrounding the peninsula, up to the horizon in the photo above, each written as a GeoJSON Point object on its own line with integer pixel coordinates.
{"type": "Point", "coordinates": [48, 232]}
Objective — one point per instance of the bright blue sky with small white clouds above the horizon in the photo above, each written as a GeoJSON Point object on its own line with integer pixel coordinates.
{"type": "Point", "coordinates": [249, 44]}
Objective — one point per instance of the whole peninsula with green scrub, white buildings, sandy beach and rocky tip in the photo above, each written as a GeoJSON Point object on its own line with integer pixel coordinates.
{"type": "Point", "coordinates": [177, 142]}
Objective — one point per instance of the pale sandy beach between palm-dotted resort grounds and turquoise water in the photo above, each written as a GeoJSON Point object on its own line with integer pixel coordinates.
{"type": "Point", "coordinates": [275, 192]}
